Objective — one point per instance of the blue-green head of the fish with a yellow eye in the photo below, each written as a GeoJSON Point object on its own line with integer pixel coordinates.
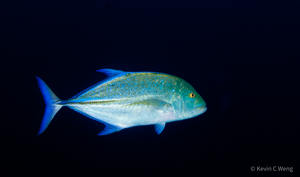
{"type": "Point", "coordinates": [187, 102]}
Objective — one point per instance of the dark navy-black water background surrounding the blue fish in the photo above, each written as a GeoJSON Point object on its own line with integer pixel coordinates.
{"type": "Point", "coordinates": [241, 56]}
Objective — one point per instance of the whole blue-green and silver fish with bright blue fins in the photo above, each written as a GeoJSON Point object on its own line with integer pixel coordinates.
{"type": "Point", "coordinates": [129, 99]}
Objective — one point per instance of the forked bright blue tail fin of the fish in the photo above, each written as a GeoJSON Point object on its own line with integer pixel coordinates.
{"type": "Point", "coordinates": [51, 107]}
